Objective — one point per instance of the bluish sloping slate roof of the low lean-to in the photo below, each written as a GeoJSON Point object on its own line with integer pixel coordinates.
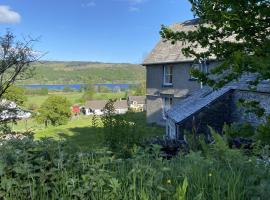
{"type": "Point", "coordinates": [204, 97]}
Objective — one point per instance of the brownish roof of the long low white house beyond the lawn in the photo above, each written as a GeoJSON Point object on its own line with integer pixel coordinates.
{"type": "Point", "coordinates": [100, 104]}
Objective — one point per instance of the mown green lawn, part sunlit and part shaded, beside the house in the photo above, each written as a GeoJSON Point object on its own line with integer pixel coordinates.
{"type": "Point", "coordinates": [79, 131]}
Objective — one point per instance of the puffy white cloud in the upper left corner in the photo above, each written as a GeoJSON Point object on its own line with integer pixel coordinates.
{"type": "Point", "coordinates": [8, 16]}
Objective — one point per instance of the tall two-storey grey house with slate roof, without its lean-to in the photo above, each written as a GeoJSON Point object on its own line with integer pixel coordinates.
{"type": "Point", "coordinates": [168, 78]}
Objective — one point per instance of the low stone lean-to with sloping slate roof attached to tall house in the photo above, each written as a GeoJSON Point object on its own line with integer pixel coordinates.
{"type": "Point", "coordinates": [208, 107]}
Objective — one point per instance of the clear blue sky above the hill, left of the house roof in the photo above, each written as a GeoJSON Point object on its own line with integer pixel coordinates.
{"type": "Point", "coordinates": [92, 30]}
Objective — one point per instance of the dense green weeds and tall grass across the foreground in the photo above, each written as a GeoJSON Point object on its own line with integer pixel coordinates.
{"type": "Point", "coordinates": [52, 170]}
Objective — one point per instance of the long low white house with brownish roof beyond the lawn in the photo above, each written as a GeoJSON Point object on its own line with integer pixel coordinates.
{"type": "Point", "coordinates": [97, 107]}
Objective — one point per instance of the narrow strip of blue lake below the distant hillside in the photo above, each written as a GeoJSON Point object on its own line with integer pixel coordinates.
{"type": "Point", "coordinates": [111, 86]}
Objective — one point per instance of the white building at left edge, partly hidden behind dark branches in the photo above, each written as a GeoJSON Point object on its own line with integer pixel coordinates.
{"type": "Point", "coordinates": [10, 111]}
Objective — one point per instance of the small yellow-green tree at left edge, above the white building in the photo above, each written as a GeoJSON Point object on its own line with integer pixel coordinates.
{"type": "Point", "coordinates": [15, 94]}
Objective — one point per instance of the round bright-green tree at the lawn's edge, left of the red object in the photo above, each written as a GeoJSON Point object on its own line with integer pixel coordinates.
{"type": "Point", "coordinates": [55, 111]}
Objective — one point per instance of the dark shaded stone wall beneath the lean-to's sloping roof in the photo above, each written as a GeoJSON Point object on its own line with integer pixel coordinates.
{"type": "Point", "coordinates": [225, 110]}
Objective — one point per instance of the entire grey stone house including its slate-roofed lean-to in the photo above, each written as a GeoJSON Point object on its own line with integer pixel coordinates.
{"type": "Point", "coordinates": [176, 100]}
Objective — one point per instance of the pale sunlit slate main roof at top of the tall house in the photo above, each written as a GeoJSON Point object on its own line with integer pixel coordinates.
{"type": "Point", "coordinates": [165, 52]}
